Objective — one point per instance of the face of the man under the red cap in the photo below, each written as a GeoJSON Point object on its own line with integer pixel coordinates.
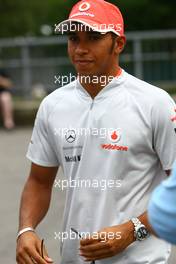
{"type": "Point", "coordinates": [91, 52]}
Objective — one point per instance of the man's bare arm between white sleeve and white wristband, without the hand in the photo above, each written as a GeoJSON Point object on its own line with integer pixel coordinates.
{"type": "Point", "coordinates": [36, 195]}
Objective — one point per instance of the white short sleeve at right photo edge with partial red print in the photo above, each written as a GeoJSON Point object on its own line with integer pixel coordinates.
{"type": "Point", "coordinates": [164, 130]}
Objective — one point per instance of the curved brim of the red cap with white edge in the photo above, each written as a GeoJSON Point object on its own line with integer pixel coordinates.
{"type": "Point", "coordinates": [63, 27]}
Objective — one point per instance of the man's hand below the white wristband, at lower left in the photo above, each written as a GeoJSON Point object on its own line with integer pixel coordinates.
{"type": "Point", "coordinates": [29, 250]}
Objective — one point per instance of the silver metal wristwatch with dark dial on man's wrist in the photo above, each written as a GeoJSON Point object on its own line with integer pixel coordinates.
{"type": "Point", "coordinates": [140, 230]}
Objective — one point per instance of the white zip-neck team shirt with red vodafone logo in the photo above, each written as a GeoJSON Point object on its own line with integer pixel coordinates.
{"type": "Point", "coordinates": [125, 138]}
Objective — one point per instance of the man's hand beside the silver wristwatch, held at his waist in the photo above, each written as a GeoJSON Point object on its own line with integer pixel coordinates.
{"type": "Point", "coordinates": [110, 242]}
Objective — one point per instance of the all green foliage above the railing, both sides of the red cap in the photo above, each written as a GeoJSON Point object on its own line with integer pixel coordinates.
{"type": "Point", "coordinates": [23, 18]}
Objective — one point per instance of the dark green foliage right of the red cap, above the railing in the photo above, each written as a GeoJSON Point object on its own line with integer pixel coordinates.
{"type": "Point", "coordinates": [148, 14]}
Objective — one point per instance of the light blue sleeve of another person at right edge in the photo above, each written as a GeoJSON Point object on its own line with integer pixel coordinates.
{"type": "Point", "coordinates": [162, 209]}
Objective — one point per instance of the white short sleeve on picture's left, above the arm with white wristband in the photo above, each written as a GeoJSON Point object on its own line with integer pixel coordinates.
{"type": "Point", "coordinates": [41, 150]}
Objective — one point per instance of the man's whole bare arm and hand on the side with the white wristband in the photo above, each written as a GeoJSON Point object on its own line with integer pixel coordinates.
{"type": "Point", "coordinates": [35, 202]}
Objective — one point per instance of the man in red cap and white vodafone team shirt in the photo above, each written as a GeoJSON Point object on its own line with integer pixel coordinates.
{"type": "Point", "coordinates": [133, 154]}
